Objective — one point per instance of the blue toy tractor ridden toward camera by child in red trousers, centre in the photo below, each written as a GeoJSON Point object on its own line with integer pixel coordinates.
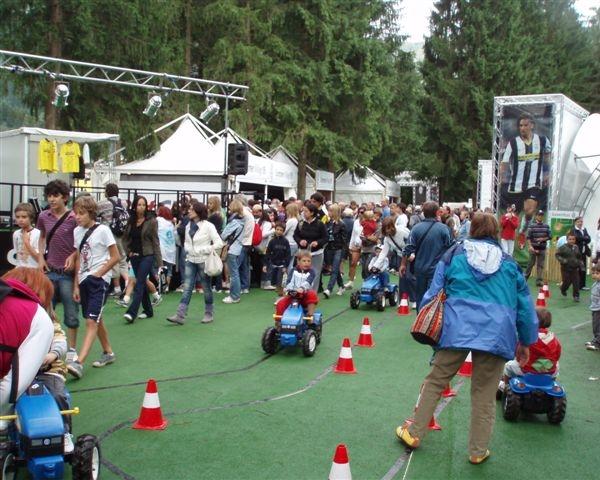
{"type": "Point", "coordinates": [293, 328]}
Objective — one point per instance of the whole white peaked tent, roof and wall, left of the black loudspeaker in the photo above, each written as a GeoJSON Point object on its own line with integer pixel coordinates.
{"type": "Point", "coordinates": [187, 160]}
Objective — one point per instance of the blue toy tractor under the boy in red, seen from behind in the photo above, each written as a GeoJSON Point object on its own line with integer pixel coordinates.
{"type": "Point", "coordinates": [534, 393]}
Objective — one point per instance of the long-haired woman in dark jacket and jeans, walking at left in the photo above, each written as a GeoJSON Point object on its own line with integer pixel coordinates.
{"type": "Point", "coordinates": [142, 246]}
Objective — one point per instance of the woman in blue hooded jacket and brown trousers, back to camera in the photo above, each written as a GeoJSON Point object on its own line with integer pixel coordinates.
{"type": "Point", "coordinates": [487, 309]}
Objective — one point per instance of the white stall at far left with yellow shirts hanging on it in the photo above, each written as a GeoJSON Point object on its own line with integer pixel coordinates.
{"type": "Point", "coordinates": [19, 159]}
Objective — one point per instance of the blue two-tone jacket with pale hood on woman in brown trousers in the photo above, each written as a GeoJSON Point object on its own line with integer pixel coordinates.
{"type": "Point", "coordinates": [488, 305]}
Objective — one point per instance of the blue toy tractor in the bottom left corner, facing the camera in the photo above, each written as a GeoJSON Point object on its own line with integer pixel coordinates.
{"type": "Point", "coordinates": [36, 436]}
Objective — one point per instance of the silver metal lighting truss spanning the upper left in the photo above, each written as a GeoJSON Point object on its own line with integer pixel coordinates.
{"type": "Point", "coordinates": [61, 69]}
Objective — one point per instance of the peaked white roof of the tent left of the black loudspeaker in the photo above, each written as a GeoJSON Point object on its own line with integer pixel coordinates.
{"type": "Point", "coordinates": [188, 151]}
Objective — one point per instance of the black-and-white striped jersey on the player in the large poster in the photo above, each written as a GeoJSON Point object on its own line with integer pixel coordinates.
{"type": "Point", "coordinates": [526, 167]}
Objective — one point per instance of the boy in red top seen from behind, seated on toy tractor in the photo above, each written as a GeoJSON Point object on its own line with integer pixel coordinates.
{"type": "Point", "coordinates": [543, 354]}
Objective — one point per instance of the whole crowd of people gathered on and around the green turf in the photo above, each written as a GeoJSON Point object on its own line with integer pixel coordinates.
{"type": "Point", "coordinates": [136, 252]}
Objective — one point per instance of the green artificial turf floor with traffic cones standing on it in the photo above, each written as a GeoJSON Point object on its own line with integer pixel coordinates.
{"type": "Point", "coordinates": [236, 413]}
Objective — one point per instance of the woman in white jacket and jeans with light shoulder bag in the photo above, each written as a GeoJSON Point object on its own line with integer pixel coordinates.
{"type": "Point", "coordinates": [201, 238]}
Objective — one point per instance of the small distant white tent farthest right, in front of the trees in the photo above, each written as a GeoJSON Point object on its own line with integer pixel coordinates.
{"type": "Point", "coordinates": [372, 188]}
